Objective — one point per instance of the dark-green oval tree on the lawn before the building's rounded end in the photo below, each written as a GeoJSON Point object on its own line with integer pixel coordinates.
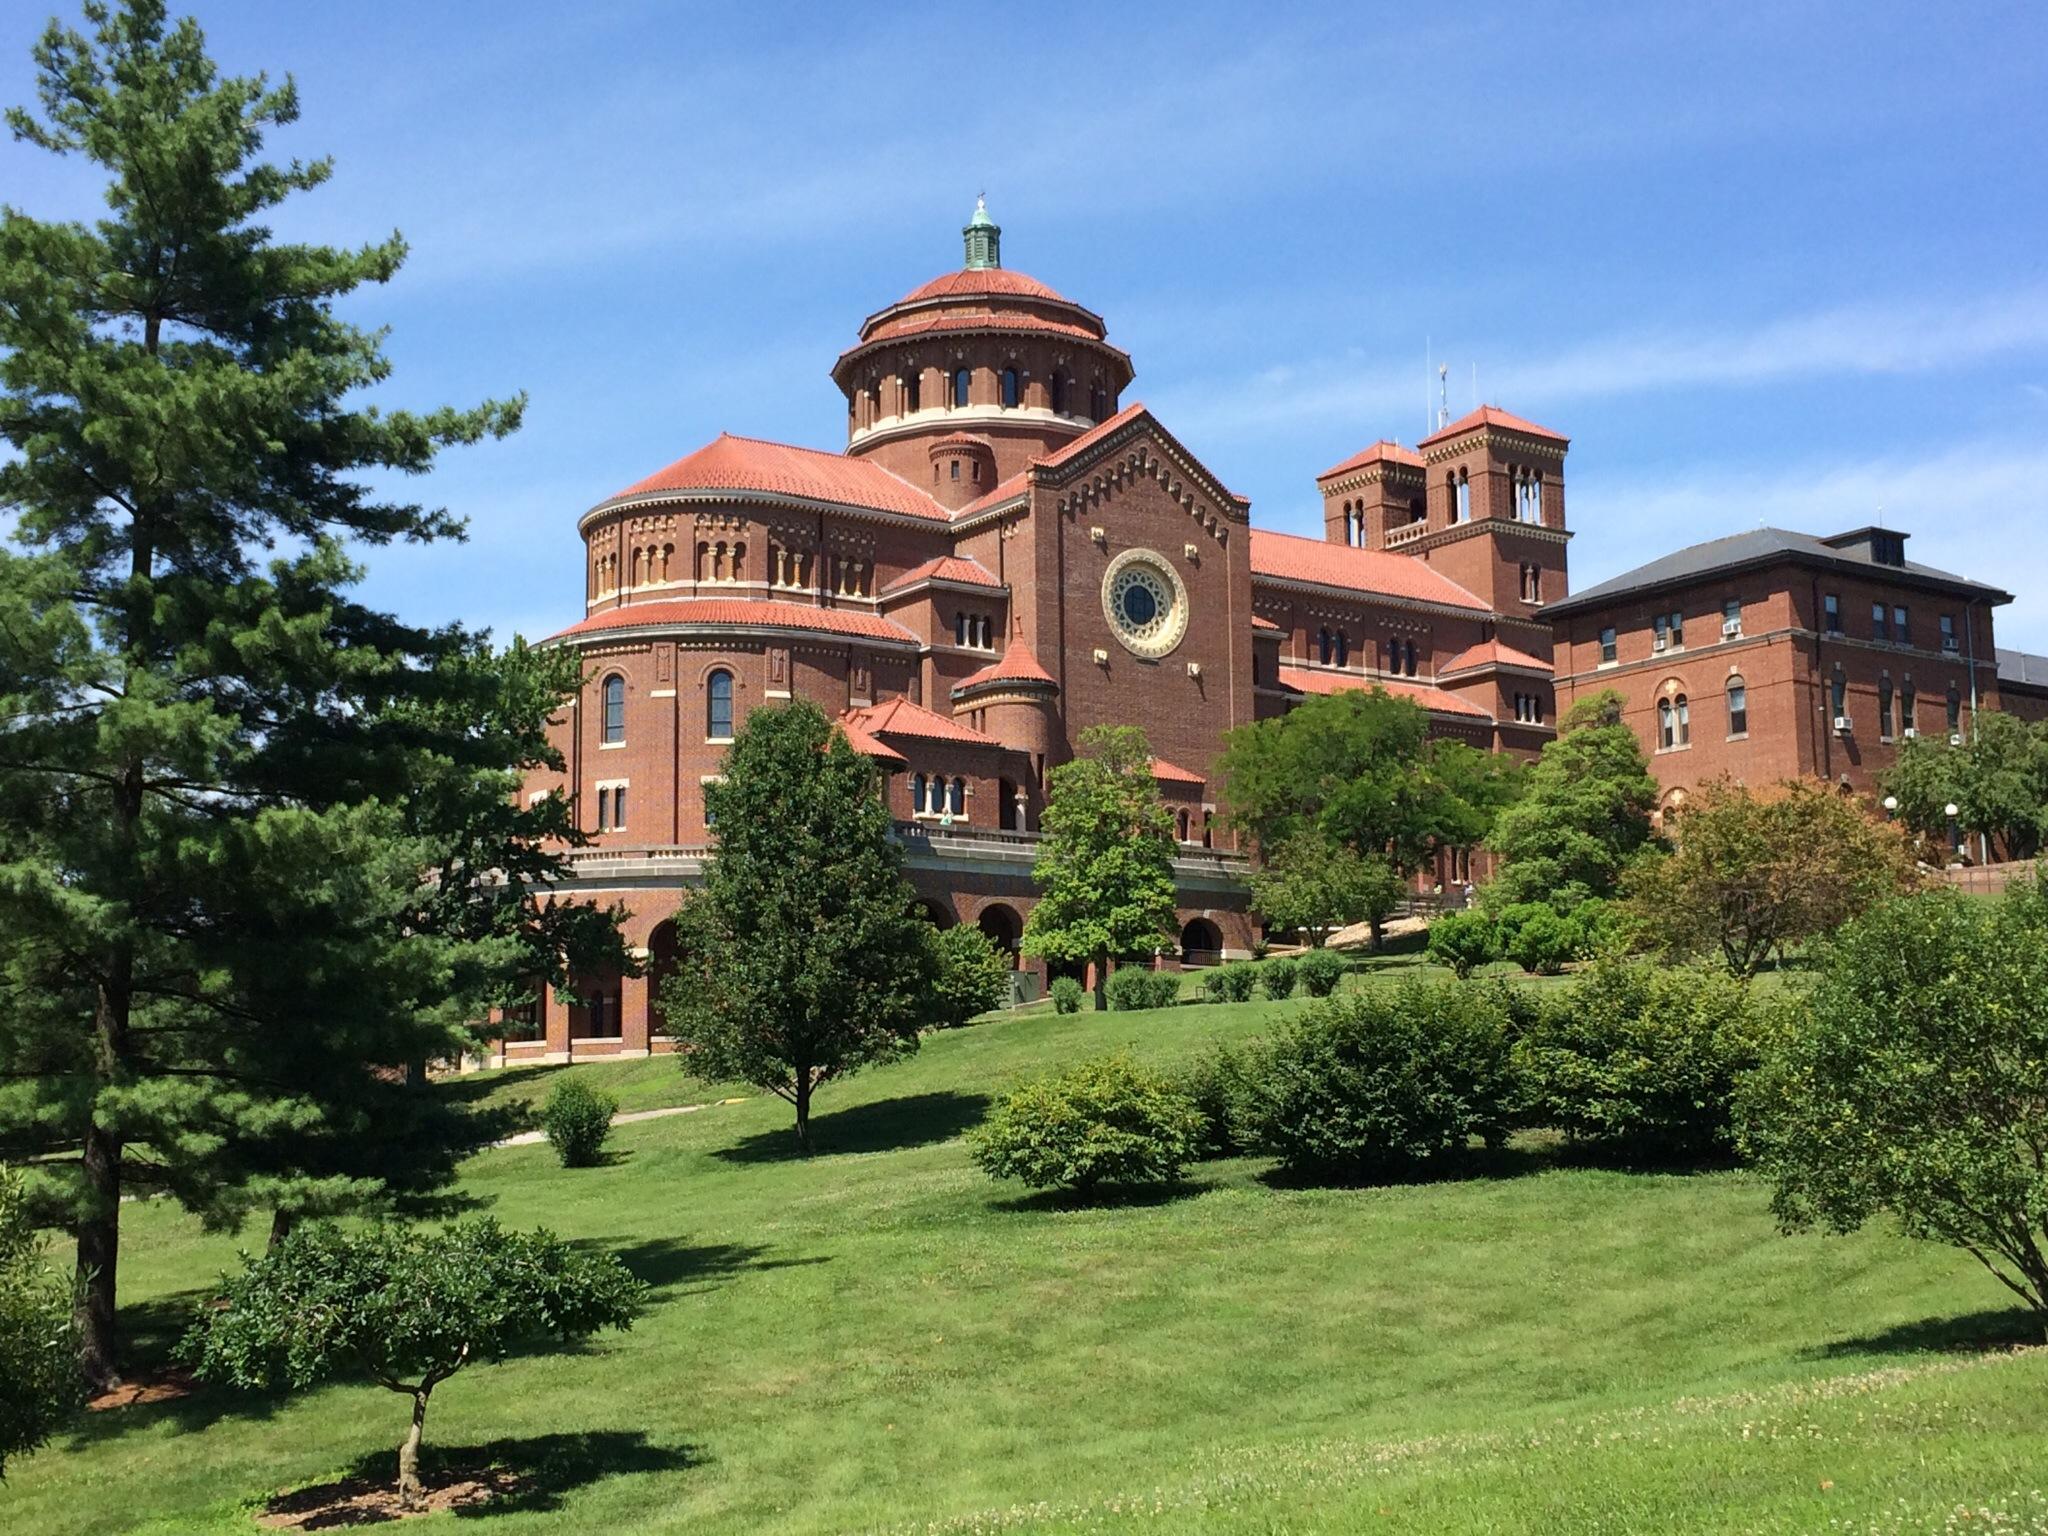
{"type": "Point", "coordinates": [804, 953]}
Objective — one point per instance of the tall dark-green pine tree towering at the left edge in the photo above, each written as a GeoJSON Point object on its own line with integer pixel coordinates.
{"type": "Point", "coordinates": [222, 775]}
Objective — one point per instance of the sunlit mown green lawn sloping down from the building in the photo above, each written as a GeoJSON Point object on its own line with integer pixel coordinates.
{"type": "Point", "coordinates": [880, 1340]}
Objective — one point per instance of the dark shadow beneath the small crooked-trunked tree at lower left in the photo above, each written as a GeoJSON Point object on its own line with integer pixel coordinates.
{"type": "Point", "coordinates": [534, 1476]}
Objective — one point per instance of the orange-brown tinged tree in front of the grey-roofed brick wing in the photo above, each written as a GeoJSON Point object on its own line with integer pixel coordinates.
{"type": "Point", "coordinates": [1756, 873]}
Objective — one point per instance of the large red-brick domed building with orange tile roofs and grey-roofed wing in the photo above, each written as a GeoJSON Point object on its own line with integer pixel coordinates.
{"type": "Point", "coordinates": [1009, 552]}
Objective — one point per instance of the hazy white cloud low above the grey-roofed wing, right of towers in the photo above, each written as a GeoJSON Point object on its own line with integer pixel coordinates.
{"type": "Point", "coordinates": [1973, 509]}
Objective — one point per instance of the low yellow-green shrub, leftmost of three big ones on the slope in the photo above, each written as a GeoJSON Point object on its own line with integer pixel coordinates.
{"type": "Point", "coordinates": [1107, 1121]}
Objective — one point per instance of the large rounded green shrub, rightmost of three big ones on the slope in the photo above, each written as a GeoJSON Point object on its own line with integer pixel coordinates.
{"type": "Point", "coordinates": [1639, 1060]}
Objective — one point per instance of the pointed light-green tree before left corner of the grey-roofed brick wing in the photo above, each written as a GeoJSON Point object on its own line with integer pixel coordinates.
{"type": "Point", "coordinates": [1584, 814]}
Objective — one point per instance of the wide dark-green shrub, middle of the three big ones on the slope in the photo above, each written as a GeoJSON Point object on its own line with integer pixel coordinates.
{"type": "Point", "coordinates": [1383, 1084]}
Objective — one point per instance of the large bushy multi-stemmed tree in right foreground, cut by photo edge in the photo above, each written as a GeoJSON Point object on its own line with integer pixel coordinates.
{"type": "Point", "coordinates": [1914, 1078]}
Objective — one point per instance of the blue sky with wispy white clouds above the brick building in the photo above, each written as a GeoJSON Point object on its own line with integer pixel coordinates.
{"type": "Point", "coordinates": [1760, 263]}
